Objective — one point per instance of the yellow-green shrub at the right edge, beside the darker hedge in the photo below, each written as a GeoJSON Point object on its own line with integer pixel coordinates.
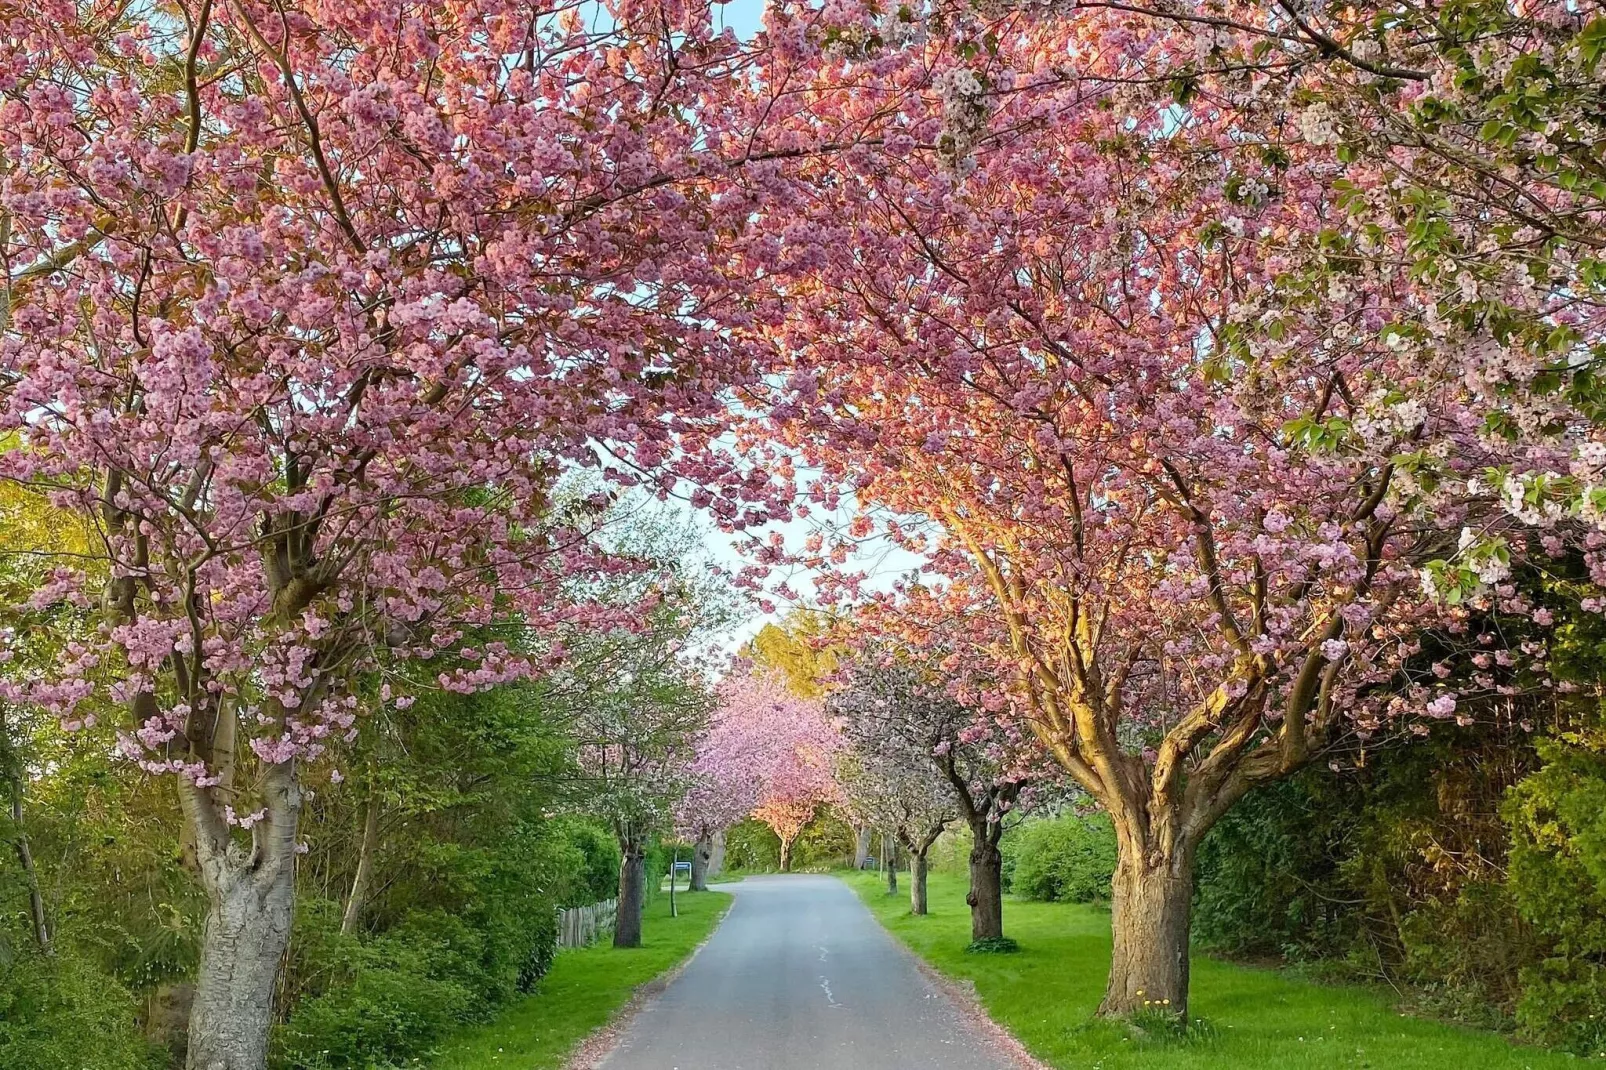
{"type": "Point", "coordinates": [1559, 883]}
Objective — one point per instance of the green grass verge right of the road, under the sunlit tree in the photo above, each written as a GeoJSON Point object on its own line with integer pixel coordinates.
{"type": "Point", "coordinates": [1244, 1018]}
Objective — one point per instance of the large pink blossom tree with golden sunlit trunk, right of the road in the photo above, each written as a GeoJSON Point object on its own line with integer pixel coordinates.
{"type": "Point", "coordinates": [1189, 542]}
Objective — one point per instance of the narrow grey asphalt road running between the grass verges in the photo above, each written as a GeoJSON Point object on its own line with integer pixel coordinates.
{"type": "Point", "coordinates": [801, 978]}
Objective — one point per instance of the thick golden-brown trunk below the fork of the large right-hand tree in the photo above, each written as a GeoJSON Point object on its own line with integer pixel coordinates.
{"type": "Point", "coordinates": [1149, 918]}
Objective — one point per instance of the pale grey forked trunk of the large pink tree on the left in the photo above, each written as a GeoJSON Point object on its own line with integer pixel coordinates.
{"type": "Point", "coordinates": [251, 899]}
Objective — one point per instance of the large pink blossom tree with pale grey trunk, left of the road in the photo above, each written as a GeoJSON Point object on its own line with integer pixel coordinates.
{"type": "Point", "coordinates": [308, 308]}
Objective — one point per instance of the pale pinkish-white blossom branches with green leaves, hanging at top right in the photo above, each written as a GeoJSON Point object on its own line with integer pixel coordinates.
{"type": "Point", "coordinates": [1461, 150]}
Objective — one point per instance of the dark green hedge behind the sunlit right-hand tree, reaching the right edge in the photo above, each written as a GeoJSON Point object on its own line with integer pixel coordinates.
{"type": "Point", "coordinates": [1469, 870]}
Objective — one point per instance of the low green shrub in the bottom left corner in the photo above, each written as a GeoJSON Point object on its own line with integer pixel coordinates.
{"type": "Point", "coordinates": [59, 1013]}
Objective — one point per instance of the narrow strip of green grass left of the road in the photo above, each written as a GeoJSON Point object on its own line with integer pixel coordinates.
{"type": "Point", "coordinates": [585, 989]}
